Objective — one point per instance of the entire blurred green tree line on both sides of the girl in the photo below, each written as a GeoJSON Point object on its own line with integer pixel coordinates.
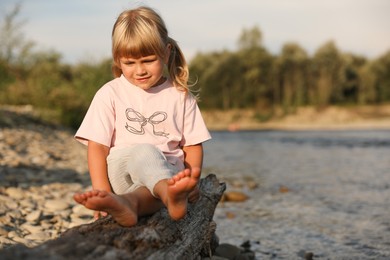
{"type": "Point", "coordinates": [250, 77]}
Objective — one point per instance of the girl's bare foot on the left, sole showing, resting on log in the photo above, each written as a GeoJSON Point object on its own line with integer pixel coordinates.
{"type": "Point", "coordinates": [122, 210]}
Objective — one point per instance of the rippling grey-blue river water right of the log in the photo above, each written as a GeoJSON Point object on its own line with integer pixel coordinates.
{"type": "Point", "coordinates": [320, 192]}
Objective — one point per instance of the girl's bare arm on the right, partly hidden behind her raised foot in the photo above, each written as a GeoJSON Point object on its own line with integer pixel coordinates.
{"type": "Point", "coordinates": [193, 158]}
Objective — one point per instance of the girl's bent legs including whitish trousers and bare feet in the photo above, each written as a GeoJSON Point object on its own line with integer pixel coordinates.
{"type": "Point", "coordinates": [148, 167]}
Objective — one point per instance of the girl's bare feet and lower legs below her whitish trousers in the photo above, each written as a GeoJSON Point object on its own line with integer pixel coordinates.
{"type": "Point", "coordinates": [126, 208]}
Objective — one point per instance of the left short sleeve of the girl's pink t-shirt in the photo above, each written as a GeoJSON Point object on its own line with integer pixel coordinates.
{"type": "Point", "coordinates": [99, 122]}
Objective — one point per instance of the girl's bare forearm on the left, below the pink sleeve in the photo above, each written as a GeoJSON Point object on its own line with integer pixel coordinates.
{"type": "Point", "coordinates": [97, 163]}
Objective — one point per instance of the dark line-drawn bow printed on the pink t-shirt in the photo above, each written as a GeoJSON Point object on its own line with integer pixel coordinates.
{"type": "Point", "coordinates": [156, 118]}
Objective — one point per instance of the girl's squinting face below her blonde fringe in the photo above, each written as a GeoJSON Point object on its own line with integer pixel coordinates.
{"type": "Point", "coordinates": [145, 72]}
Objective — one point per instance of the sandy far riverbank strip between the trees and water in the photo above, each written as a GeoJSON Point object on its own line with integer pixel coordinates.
{"type": "Point", "coordinates": [305, 118]}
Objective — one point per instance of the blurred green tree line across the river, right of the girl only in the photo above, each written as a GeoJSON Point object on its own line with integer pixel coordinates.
{"type": "Point", "coordinates": [254, 78]}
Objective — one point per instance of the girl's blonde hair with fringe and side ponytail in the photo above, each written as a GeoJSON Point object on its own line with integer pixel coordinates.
{"type": "Point", "coordinates": [142, 32]}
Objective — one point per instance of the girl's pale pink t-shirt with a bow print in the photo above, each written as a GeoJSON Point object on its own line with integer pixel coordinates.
{"type": "Point", "coordinates": [122, 114]}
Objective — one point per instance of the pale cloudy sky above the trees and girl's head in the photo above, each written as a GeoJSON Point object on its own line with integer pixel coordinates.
{"type": "Point", "coordinates": [81, 29]}
